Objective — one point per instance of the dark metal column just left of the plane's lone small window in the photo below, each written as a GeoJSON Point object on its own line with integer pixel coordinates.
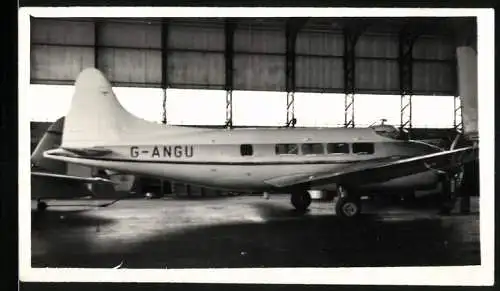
{"type": "Point", "coordinates": [229, 27]}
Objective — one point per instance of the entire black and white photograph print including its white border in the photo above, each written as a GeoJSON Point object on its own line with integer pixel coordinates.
{"type": "Point", "coordinates": [238, 145]}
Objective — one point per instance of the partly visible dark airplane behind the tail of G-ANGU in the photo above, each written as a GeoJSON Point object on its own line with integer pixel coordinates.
{"type": "Point", "coordinates": [48, 177]}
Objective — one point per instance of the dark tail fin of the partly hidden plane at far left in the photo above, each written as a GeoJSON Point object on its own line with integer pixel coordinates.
{"type": "Point", "coordinates": [50, 140]}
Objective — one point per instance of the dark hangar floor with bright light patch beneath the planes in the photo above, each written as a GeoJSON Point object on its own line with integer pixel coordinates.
{"type": "Point", "coordinates": [249, 231]}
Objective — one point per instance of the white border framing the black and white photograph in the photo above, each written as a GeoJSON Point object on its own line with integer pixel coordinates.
{"type": "Point", "coordinates": [464, 276]}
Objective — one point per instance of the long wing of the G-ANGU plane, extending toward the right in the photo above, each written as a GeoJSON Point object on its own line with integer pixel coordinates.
{"type": "Point", "coordinates": [381, 170]}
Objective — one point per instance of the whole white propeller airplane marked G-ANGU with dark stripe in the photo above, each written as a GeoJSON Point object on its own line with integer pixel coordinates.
{"type": "Point", "coordinates": [100, 132]}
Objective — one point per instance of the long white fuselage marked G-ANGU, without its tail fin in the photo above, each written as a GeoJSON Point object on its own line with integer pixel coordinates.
{"type": "Point", "coordinates": [243, 159]}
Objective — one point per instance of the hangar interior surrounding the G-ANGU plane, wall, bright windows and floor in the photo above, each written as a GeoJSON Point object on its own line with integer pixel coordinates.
{"type": "Point", "coordinates": [287, 72]}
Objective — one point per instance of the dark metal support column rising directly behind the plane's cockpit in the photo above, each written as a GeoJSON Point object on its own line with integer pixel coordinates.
{"type": "Point", "coordinates": [406, 41]}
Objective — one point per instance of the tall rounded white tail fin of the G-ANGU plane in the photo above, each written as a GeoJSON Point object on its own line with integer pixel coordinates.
{"type": "Point", "coordinates": [95, 117]}
